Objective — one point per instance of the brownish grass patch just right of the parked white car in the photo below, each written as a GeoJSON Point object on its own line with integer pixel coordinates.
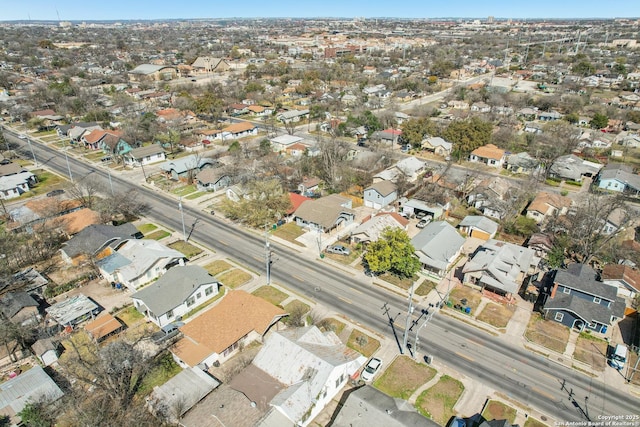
{"type": "Point", "coordinates": [403, 377]}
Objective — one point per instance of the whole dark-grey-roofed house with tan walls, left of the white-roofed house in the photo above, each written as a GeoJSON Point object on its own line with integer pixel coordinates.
{"type": "Point", "coordinates": [96, 241]}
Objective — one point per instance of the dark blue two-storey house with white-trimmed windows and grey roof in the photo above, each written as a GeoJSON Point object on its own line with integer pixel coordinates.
{"type": "Point", "coordinates": [577, 299]}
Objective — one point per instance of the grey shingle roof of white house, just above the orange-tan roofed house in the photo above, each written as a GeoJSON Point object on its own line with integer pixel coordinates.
{"type": "Point", "coordinates": [173, 288]}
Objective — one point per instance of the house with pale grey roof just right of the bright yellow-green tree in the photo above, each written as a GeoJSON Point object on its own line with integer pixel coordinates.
{"type": "Point", "coordinates": [437, 246]}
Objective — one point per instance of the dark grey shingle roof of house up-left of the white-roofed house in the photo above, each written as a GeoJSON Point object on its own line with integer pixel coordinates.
{"type": "Point", "coordinates": [95, 237]}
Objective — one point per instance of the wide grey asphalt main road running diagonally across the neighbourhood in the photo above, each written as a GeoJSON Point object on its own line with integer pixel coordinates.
{"type": "Point", "coordinates": [504, 366]}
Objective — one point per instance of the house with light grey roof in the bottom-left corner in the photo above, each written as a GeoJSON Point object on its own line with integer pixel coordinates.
{"type": "Point", "coordinates": [32, 385]}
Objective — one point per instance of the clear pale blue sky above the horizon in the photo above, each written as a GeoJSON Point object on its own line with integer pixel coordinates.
{"type": "Point", "coordinates": [74, 10]}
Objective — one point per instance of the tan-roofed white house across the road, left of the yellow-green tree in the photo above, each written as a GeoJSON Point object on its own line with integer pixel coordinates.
{"type": "Point", "coordinates": [325, 214]}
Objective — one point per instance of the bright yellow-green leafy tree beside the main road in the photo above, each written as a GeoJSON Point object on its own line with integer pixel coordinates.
{"type": "Point", "coordinates": [392, 252]}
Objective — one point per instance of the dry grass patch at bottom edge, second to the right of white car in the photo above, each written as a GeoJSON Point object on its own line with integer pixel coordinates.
{"type": "Point", "coordinates": [438, 401]}
